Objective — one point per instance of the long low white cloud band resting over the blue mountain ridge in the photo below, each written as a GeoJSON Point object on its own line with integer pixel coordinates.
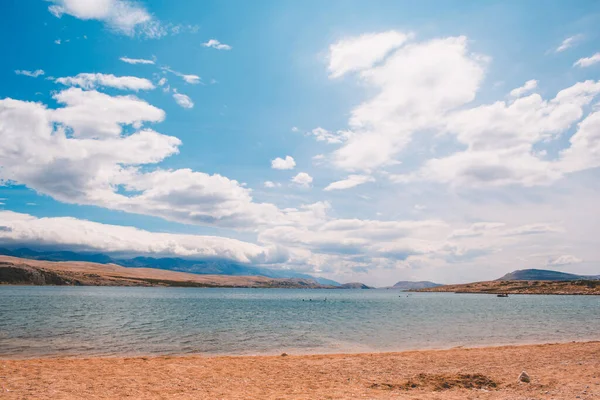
{"type": "Point", "coordinates": [73, 233]}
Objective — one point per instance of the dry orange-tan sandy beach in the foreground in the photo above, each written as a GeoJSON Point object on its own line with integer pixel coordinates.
{"type": "Point", "coordinates": [558, 371]}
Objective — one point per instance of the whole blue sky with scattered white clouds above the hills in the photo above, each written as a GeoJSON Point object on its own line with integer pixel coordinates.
{"type": "Point", "coordinates": [359, 141]}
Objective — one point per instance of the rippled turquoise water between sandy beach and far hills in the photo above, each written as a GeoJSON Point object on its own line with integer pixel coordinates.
{"type": "Point", "coordinates": [49, 321]}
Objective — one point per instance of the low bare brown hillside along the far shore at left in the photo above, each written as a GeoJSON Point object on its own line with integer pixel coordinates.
{"type": "Point", "coordinates": [78, 273]}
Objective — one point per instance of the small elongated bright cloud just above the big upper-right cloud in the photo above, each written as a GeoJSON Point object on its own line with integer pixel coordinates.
{"type": "Point", "coordinates": [362, 52]}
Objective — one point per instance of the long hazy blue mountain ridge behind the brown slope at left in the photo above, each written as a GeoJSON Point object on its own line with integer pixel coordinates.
{"type": "Point", "coordinates": [201, 267]}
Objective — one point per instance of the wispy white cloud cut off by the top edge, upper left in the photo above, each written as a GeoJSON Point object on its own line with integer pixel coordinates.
{"type": "Point", "coordinates": [122, 16]}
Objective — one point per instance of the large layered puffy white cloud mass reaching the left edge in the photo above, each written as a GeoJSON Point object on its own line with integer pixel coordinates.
{"type": "Point", "coordinates": [98, 164]}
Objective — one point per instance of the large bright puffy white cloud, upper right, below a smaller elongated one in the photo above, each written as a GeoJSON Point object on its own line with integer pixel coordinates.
{"type": "Point", "coordinates": [415, 86]}
